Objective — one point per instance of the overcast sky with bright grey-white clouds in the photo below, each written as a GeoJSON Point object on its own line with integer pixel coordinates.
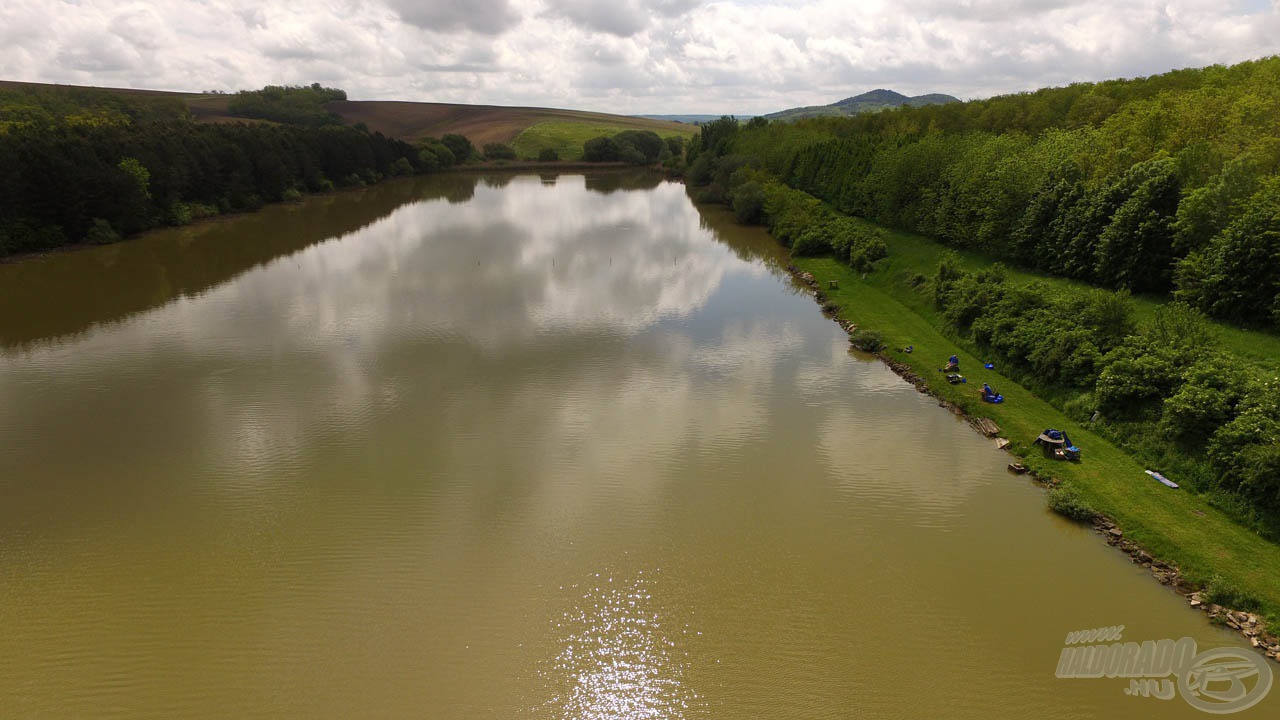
{"type": "Point", "coordinates": [739, 57]}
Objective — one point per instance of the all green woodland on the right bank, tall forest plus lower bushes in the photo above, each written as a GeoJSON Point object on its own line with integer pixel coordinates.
{"type": "Point", "coordinates": [1168, 185]}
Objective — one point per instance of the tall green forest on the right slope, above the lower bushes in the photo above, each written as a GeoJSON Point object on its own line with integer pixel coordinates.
{"type": "Point", "coordinates": [1167, 184]}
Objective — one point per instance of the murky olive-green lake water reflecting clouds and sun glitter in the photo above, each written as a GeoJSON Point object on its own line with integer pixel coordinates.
{"type": "Point", "coordinates": [510, 448]}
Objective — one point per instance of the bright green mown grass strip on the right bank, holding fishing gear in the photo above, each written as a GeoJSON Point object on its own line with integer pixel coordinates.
{"type": "Point", "coordinates": [1174, 526]}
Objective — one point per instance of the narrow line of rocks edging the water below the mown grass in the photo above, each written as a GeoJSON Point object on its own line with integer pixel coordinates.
{"type": "Point", "coordinates": [1250, 626]}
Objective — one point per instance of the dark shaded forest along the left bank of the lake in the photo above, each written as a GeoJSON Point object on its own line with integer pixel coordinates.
{"type": "Point", "coordinates": [80, 166]}
